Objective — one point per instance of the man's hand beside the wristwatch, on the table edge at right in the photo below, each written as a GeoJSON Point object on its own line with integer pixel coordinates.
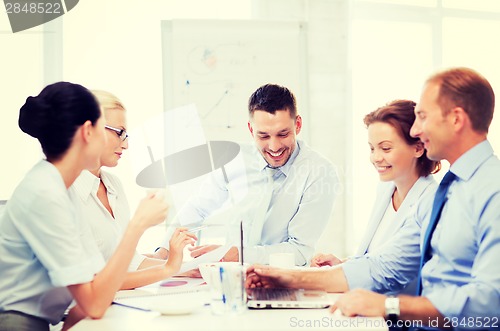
{"type": "Point", "coordinates": [360, 302]}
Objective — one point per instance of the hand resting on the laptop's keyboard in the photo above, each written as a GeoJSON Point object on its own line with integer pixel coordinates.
{"type": "Point", "coordinates": [264, 276]}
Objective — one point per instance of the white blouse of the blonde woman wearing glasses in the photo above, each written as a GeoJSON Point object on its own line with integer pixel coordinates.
{"type": "Point", "coordinates": [107, 231]}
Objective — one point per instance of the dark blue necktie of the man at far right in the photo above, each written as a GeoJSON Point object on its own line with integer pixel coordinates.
{"type": "Point", "coordinates": [437, 208]}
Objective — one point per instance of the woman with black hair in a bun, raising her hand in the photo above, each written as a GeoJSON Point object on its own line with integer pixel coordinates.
{"type": "Point", "coordinates": [47, 256]}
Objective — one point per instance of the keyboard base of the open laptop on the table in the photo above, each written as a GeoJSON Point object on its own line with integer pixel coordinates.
{"type": "Point", "coordinates": [261, 298]}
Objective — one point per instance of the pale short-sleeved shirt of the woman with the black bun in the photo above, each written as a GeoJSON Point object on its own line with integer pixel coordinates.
{"type": "Point", "coordinates": [43, 247]}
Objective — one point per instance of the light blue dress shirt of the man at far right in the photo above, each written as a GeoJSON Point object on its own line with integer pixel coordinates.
{"type": "Point", "coordinates": [462, 279]}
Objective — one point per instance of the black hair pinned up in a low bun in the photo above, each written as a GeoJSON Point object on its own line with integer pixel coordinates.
{"type": "Point", "coordinates": [55, 114]}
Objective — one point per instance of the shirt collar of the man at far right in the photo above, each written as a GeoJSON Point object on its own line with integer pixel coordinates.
{"type": "Point", "coordinates": [467, 164]}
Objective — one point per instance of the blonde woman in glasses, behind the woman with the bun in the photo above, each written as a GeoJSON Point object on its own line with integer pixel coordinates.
{"type": "Point", "coordinates": [104, 203]}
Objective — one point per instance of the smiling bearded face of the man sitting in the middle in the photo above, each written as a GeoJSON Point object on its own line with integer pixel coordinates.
{"type": "Point", "coordinates": [275, 135]}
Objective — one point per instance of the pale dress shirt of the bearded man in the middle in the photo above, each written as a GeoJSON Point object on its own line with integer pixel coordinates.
{"type": "Point", "coordinates": [300, 207]}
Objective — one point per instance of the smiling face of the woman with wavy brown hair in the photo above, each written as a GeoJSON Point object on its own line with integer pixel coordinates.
{"type": "Point", "coordinates": [393, 158]}
